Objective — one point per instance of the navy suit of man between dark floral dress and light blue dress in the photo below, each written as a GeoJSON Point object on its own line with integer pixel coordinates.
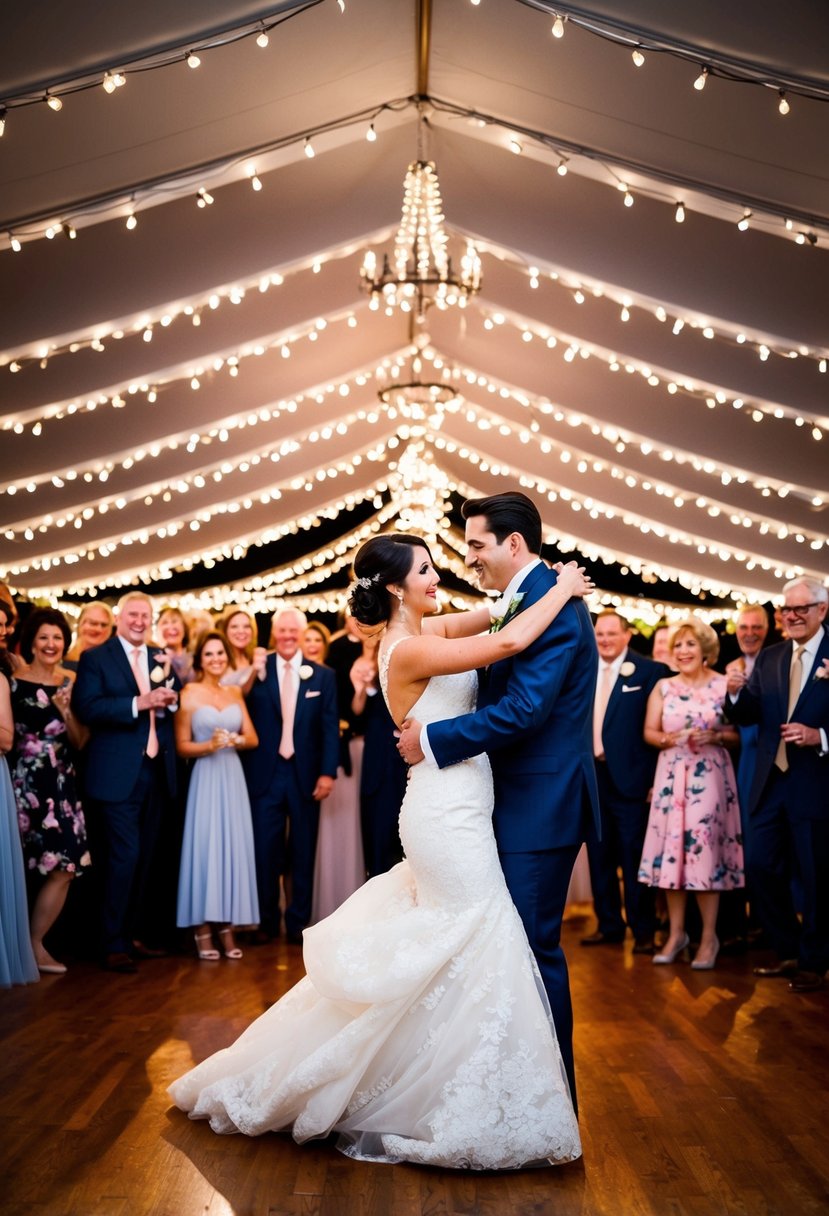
{"type": "Point", "coordinates": [131, 792]}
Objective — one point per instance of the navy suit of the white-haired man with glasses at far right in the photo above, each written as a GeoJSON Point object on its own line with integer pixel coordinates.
{"type": "Point", "coordinates": [788, 812]}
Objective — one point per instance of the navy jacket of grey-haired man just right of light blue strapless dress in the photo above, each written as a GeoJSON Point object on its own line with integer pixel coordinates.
{"type": "Point", "coordinates": [317, 729]}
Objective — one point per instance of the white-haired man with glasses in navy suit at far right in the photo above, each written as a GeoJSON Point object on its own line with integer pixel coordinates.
{"type": "Point", "coordinates": [788, 697]}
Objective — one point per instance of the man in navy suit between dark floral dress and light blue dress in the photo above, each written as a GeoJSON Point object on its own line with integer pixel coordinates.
{"type": "Point", "coordinates": [126, 693]}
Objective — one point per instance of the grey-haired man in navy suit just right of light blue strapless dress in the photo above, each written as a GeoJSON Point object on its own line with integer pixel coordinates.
{"type": "Point", "coordinates": [295, 713]}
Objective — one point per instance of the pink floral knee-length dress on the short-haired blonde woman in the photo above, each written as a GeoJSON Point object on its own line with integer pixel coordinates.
{"type": "Point", "coordinates": [695, 840]}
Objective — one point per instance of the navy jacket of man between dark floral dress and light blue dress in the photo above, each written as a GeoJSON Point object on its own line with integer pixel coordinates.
{"type": "Point", "coordinates": [103, 699]}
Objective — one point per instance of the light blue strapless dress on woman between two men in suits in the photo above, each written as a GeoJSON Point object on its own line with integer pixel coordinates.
{"type": "Point", "coordinates": [218, 876]}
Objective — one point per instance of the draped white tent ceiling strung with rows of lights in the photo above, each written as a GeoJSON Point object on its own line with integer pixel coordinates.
{"type": "Point", "coordinates": [658, 386]}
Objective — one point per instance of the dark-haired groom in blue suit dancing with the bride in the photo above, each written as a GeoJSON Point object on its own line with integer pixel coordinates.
{"type": "Point", "coordinates": [534, 719]}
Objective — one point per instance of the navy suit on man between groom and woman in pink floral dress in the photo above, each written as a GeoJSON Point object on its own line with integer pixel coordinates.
{"type": "Point", "coordinates": [625, 778]}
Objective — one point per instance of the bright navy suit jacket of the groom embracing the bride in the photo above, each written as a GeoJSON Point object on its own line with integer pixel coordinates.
{"type": "Point", "coordinates": [535, 719]}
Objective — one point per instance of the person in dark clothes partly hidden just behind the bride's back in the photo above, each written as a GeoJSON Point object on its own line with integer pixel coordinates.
{"type": "Point", "coordinates": [384, 775]}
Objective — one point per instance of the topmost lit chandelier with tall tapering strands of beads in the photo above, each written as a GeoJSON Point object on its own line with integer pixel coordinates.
{"type": "Point", "coordinates": [420, 272]}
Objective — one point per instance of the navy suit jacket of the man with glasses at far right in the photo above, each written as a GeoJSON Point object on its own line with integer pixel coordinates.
{"type": "Point", "coordinates": [765, 701]}
